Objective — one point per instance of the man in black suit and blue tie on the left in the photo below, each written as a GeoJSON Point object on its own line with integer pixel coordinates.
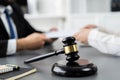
{"type": "Point", "coordinates": [15, 32]}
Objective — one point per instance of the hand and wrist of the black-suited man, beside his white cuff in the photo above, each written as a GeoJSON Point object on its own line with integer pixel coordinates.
{"type": "Point", "coordinates": [31, 42]}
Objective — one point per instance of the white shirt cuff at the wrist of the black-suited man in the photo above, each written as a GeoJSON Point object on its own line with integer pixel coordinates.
{"type": "Point", "coordinates": [11, 48]}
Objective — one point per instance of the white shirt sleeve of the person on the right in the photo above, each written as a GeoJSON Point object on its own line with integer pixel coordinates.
{"type": "Point", "coordinates": [104, 42]}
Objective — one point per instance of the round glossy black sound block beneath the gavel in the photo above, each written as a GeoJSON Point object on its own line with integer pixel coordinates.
{"type": "Point", "coordinates": [79, 68]}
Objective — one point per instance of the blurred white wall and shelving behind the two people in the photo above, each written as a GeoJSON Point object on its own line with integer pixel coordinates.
{"type": "Point", "coordinates": [69, 14]}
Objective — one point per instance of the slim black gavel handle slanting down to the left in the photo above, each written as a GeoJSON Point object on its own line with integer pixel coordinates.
{"type": "Point", "coordinates": [44, 56]}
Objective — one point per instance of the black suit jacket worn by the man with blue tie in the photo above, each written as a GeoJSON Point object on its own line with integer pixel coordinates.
{"type": "Point", "coordinates": [22, 26]}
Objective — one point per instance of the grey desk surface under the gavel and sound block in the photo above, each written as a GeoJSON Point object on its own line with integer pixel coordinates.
{"type": "Point", "coordinates": [108, 66]}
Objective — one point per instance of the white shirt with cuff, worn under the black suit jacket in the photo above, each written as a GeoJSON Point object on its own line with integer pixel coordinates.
{"type": "Point", "coordinates": [11, 47]}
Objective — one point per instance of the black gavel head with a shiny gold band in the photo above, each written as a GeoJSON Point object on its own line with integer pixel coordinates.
{"type": "Point", "coordinates": [71, 49]}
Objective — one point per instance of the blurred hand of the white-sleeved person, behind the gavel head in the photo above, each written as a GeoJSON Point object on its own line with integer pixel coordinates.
{"type": "Point", "coordinates": [82, 36]}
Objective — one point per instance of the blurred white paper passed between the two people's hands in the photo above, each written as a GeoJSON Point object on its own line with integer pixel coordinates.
{"type": "Point", "coordinates": [59, 34]}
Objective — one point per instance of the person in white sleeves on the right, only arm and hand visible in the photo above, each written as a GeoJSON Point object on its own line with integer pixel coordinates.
{"type": "Point", "coordinates": [105, 42]}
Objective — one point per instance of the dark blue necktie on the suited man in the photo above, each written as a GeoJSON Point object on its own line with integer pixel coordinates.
{"type": "Point", "coordinates": [12, 34]}
